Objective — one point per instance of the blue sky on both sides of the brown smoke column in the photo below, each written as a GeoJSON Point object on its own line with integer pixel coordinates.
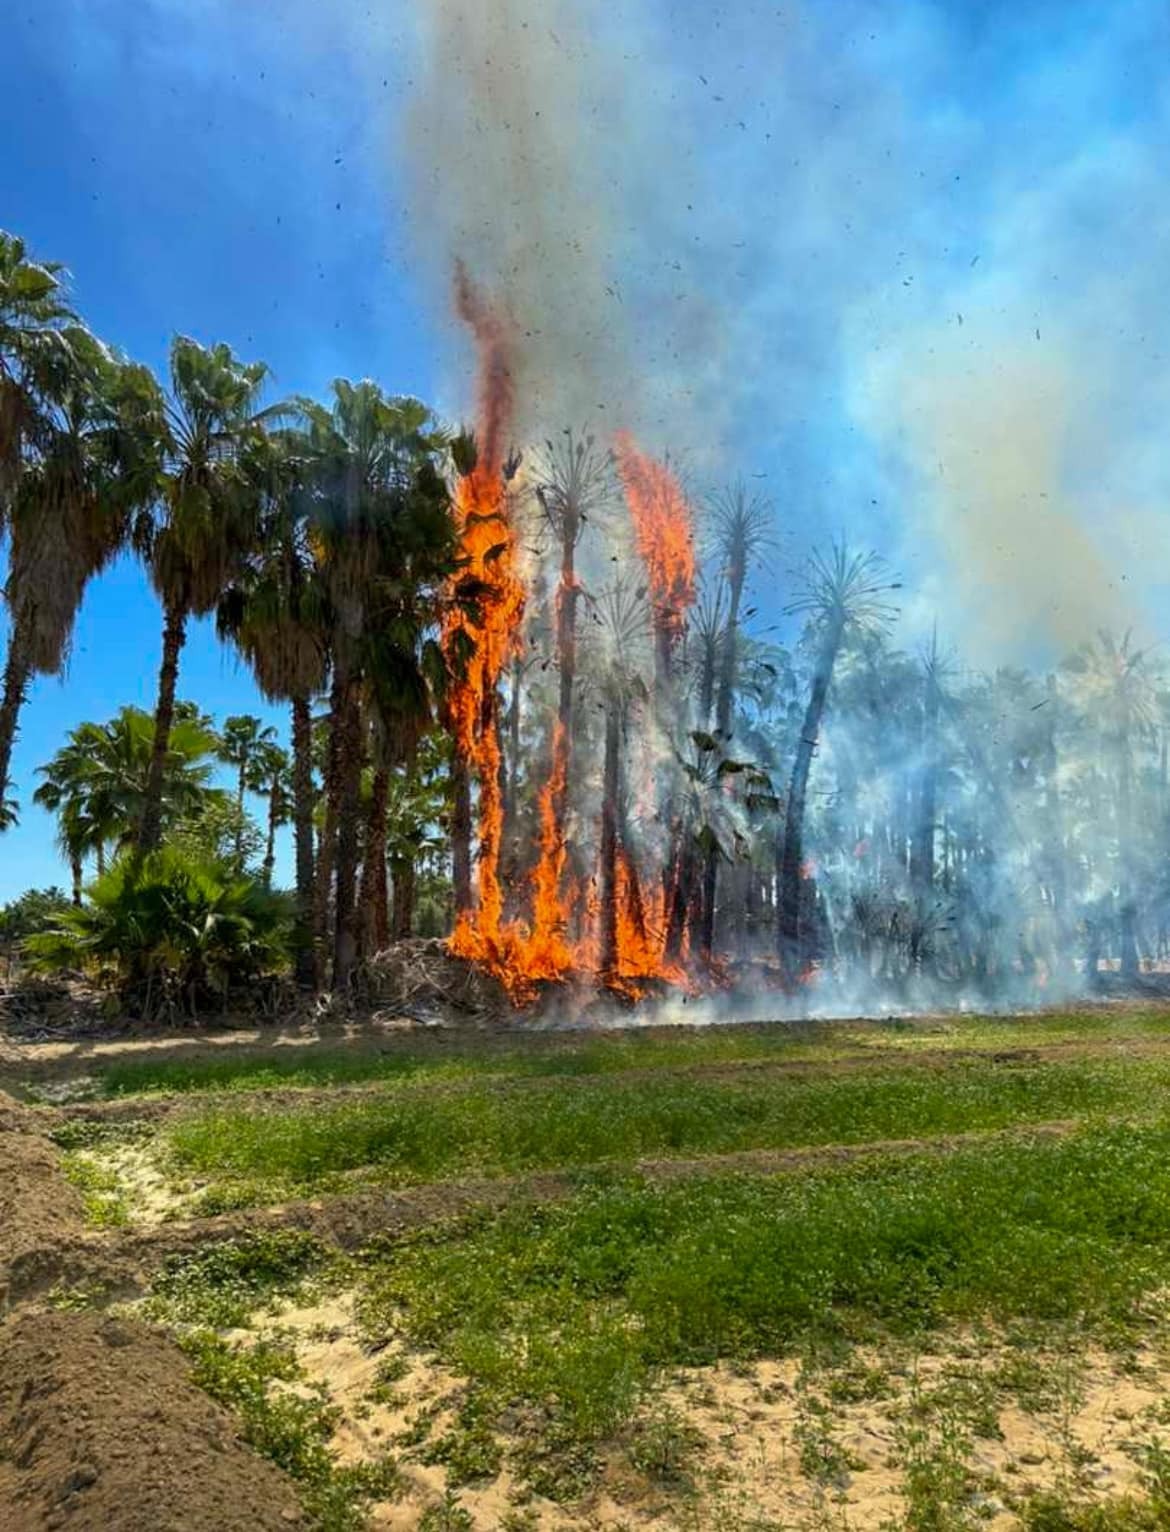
{"type": "Point", "coordinates": [907, 263]}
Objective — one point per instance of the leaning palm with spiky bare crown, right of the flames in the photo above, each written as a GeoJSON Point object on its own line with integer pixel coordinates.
{"type": "Point", "coordinates": [842, 591]}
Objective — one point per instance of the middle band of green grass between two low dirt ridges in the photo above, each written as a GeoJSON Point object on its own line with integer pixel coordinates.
{"type": "Point", "coordinates": [480, 1130]}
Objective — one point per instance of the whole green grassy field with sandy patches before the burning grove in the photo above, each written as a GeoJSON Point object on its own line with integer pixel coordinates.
{"type": "Point", "coordinates": [964, 1329]}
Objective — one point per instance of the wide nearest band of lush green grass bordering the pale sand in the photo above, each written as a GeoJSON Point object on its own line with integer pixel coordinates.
{"type": "Point", "coordinates": [566, 1315]}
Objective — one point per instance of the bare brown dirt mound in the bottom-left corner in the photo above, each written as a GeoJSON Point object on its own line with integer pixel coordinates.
{"type": "Point", "coordinates": [105, 1432]}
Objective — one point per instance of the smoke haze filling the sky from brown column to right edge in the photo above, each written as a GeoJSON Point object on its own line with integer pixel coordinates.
{"type": "Point", "coordinates": [857, 257]}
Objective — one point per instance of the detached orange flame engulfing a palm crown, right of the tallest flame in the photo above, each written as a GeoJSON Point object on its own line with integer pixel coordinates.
{"type": "Point", "coordinates": [664, 529]}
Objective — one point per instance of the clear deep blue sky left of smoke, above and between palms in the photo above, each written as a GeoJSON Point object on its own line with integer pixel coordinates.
{"type": "Point", "coordinates": [200, 169]}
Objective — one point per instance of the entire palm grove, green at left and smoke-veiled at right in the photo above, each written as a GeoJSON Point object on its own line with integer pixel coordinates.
{"type": "Point", "coordinates": [892, 819]}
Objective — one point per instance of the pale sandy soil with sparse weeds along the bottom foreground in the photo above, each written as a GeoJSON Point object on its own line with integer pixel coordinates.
{"type": "Point", "coordinates": [779, 1444]}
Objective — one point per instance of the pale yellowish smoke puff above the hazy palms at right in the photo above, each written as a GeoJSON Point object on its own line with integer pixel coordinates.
{"type": "Point", "coordinates": [992, 431]}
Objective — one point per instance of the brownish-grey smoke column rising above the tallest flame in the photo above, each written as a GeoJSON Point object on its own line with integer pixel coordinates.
{"type": "Point", "coordinates": [509, 140]}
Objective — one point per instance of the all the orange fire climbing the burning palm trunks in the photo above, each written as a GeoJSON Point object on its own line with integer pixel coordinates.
{"type": "Point", "coordinates": [482, 644]}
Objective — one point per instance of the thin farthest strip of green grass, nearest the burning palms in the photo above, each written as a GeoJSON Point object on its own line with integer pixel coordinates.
{"type": "Point", "coordinates": [578, 1055]}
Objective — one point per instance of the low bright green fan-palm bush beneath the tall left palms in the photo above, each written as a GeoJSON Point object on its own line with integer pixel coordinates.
{"type": "Point", "coordinates": [171, 934]}
